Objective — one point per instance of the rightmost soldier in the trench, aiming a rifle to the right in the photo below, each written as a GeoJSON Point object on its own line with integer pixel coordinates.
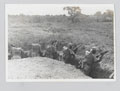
{"type": "Point", "coordinates": [90, 59]}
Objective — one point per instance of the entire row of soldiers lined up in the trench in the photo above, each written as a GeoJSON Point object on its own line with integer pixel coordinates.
{"type": "Point", "coordinates": [68, 54]}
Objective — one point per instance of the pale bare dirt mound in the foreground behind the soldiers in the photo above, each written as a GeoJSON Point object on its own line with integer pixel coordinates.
{"type": "Point", "coordinates": [42, 68]}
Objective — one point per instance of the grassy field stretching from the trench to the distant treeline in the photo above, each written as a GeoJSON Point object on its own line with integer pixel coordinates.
{"type": "Point", "coordinates": [23, 31]}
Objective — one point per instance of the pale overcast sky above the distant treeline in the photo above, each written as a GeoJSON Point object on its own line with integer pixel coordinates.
{"type": "Point", "coordinates": [54, 9]}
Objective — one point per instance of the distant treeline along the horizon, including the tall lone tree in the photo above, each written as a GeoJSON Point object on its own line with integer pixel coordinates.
{"type": "Point", "coordinates": [73, 17]}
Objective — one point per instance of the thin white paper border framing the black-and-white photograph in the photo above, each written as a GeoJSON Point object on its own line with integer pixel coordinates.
{"type": "Point", "coordinates": [55, 80]}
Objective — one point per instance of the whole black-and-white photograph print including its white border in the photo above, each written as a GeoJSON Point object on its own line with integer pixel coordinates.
{"type": "Point", "coordinates": [60, 42]}
